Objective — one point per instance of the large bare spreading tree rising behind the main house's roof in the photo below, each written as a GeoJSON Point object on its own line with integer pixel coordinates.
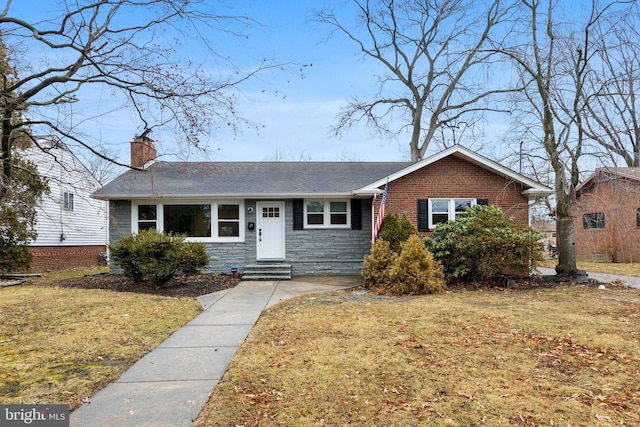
{"type": "Point", "coordinates": [438, 68]}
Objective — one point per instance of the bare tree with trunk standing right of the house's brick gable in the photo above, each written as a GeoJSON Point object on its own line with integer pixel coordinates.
{"type": "Point", "coordinates": [554, 67]}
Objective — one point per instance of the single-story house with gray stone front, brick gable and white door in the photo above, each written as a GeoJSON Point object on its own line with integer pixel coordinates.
{"type": "Point", "coordinates": [307, 217]}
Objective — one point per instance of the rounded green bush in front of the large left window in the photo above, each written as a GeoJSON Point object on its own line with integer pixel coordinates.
{"type": "Point", "coordinates": [157, 255]}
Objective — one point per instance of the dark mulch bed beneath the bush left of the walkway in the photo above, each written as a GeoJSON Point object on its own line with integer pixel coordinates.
{"type": "Point", "coordinates": [181, 286]}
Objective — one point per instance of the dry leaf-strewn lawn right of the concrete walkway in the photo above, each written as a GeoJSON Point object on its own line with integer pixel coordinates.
{"type": "Point", "coordinates": [565, 356]}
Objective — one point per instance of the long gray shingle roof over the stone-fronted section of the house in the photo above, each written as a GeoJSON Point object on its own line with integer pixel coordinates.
{"type": "Point", "coordinates": [247, 179]}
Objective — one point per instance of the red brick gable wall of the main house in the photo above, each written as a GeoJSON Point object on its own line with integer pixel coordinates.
{"type": "Point", "coordinates": [453, 177]}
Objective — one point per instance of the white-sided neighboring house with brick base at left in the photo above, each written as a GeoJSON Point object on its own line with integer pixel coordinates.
{"type": "Point", "coordinates": [71, 226]}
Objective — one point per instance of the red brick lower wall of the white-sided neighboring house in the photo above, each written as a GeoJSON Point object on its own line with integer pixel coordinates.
{"type": "Point", "coordinates": [65, 257]}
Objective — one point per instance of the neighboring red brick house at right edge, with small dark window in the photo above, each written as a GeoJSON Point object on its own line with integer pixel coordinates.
{"type": "Point", "coordinates": [607, 216]}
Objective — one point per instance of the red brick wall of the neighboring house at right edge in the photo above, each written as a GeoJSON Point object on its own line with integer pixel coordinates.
{"type": "Point", "coordinates": [620, 239]}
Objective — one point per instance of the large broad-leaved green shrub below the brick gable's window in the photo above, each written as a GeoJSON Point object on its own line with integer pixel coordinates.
{"type": "Point", "coordinates": [483, 244]}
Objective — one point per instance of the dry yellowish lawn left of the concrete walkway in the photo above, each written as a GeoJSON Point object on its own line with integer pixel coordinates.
{"type": "Point", "coordinates": [62, 345]}
